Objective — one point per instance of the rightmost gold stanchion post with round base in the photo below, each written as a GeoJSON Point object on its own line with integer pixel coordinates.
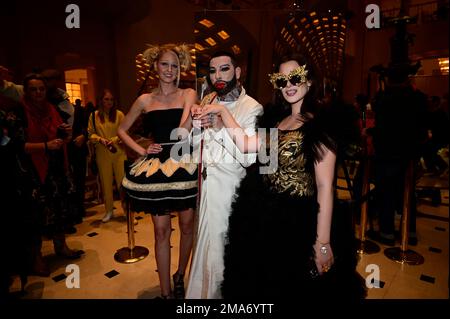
{"type": "Point", "coordinates": [402, 254]}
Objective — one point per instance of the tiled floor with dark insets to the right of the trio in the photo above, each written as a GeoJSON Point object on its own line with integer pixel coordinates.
{"type": "Point", "coordinates": [403, 281]}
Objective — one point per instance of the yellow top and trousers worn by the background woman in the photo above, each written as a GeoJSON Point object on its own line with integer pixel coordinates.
{"type": "Point", "coordinates": [108, 163]}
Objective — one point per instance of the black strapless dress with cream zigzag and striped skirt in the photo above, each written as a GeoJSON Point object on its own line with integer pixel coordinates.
{"type": "Point", "coordinates": [161, 183]}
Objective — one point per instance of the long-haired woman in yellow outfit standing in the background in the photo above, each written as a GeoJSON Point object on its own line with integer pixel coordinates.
{"type": "Point", "coordinates": [110, 154]}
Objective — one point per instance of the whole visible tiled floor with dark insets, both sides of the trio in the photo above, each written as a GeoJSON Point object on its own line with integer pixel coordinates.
{"type": "Point", "coordinates": [140, 280]}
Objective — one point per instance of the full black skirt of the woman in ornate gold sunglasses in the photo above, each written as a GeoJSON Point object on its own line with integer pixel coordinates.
{"type": "Point", "coordinates": [269, 250]}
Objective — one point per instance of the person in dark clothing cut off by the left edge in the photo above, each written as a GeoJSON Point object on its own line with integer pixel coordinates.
{"type": "Point", "coordinates": [16, 195]}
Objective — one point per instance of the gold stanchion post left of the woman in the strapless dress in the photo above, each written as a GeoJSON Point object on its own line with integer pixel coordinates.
{"type": "Point", "coordinates": [132, 253]}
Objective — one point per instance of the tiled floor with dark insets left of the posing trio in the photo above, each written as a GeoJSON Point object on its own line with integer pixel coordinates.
{"type": "Point", "coordinates": [100, 242]}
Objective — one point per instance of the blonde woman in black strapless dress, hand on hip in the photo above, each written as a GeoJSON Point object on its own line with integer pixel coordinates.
{"type": "Point", "coordinates": [157, 183]}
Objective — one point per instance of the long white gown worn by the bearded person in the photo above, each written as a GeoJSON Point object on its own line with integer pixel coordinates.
{"type": "Point", "coordinates": [225, 167]}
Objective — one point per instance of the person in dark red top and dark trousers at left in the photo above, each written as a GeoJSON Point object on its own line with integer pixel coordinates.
{"type": "Point", "coordinates": [46, 139]}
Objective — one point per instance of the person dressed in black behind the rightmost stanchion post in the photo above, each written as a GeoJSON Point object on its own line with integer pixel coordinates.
{"type": "Point", "coordinates": [398, 136]}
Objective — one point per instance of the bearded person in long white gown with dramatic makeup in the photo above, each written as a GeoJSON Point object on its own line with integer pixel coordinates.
{"type": "Point", "coordinates": [222, 168]}
